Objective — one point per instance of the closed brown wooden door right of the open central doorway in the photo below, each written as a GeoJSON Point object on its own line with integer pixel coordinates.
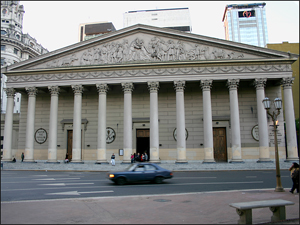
{"type": "Point", "coordinates": [220, 146]}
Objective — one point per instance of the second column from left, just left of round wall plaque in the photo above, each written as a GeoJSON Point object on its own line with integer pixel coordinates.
{"type": "Point", "coordinates": [32, 92]}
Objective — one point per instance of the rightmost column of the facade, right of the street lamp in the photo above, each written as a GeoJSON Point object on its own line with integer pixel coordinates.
{"type": "Point", "coordinates": [289, 115]}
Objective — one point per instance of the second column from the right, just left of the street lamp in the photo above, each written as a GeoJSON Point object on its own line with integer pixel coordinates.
{"type": "Point", "coordinates": [264, 152]}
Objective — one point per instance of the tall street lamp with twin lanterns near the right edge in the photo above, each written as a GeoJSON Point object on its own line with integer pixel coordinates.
{"type": "Point", "coordinates": [274, 114]}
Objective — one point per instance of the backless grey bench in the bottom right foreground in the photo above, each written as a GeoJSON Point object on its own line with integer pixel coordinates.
{"type": "Point", "coordinates": [277, 206]}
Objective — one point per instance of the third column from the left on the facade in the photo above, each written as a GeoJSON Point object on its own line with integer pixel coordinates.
{"type": "Point", "coordinates": [52, 147]}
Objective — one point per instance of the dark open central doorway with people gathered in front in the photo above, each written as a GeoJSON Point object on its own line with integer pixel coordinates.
{"type": "Point", "coordinates": [143, 141]}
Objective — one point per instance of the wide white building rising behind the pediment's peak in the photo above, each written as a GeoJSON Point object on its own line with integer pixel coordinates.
{"type": "Point", "coordinates": [173, 18]}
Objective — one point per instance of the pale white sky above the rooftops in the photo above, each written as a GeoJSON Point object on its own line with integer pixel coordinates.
{"type": "Point", "coordinates": [55, 24]}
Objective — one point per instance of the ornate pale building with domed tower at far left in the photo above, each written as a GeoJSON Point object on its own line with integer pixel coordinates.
{"type": "Point", "coordinates": [15, 46]}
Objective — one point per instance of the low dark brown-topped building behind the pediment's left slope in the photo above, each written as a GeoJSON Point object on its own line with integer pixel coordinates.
{"type": "Point", "coordinates": [91, 30]}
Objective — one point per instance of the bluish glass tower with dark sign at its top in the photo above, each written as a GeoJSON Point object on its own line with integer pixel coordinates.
{"type": "Point", "coordinates": [246, 23]}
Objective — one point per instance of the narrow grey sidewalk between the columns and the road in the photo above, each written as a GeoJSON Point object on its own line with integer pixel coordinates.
{"type": "Point", "coordinates": [170, 165]}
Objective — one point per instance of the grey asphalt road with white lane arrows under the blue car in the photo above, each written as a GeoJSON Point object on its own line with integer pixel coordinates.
{"type": "Point", "coordinates": [38, 185]}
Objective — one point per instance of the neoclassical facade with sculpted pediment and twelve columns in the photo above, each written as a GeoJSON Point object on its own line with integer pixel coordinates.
{"type": "Point", "coordinates": [177, 96]}
